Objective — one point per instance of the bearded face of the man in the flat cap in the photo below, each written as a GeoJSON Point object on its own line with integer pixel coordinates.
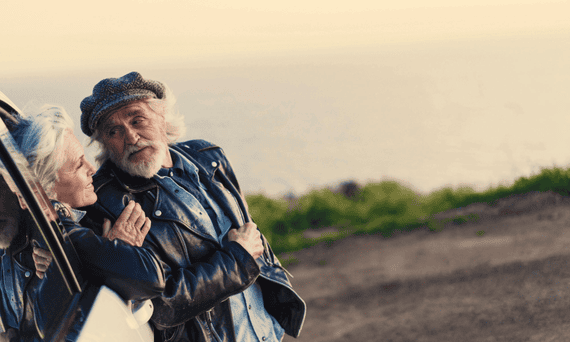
{"type": "Point", "coordinates": [136, 138]}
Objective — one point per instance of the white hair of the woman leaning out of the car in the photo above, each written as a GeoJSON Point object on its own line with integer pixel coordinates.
{"type": "Point", "coordinates": [40, 137]}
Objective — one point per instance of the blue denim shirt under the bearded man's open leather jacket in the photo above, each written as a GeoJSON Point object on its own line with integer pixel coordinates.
{"type": "Point", "coordinates": [251, 320]}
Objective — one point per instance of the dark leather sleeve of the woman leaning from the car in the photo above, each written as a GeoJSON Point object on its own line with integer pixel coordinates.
{"type": "Point", "coordinates": [132, 272]}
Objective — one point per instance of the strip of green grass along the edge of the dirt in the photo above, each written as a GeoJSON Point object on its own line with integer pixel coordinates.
{"type": "Point", "coordinates": [379, 208]}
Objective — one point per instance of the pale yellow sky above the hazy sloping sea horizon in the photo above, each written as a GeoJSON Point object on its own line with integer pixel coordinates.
{"type": "Point", "coordinates": [44, 36]}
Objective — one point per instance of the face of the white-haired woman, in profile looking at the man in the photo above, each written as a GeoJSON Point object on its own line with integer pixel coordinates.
{"type": "Point", "coordinates": [74, 185]}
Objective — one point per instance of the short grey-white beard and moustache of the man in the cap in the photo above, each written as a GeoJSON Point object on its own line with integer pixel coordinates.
{"type": "Point", "coordinates": [145, 168]}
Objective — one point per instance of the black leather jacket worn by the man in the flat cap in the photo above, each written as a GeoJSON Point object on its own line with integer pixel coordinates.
{"type": "Point", "coordinates": [201, 274]}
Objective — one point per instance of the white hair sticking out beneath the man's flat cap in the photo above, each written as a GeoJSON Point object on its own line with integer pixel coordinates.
{"type": "Point", "coordinates": [175, 127]}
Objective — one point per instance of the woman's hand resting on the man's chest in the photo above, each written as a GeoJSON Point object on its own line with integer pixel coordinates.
{"type": "Point", "coordinates": [131, 226]}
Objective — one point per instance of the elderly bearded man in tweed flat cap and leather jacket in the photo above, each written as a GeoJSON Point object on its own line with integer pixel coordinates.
{"type": "Point", "coordinates": [223, 281]}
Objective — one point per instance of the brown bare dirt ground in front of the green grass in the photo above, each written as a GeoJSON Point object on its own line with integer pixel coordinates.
{"type": "Point", "coordinates": [505, 277]}
